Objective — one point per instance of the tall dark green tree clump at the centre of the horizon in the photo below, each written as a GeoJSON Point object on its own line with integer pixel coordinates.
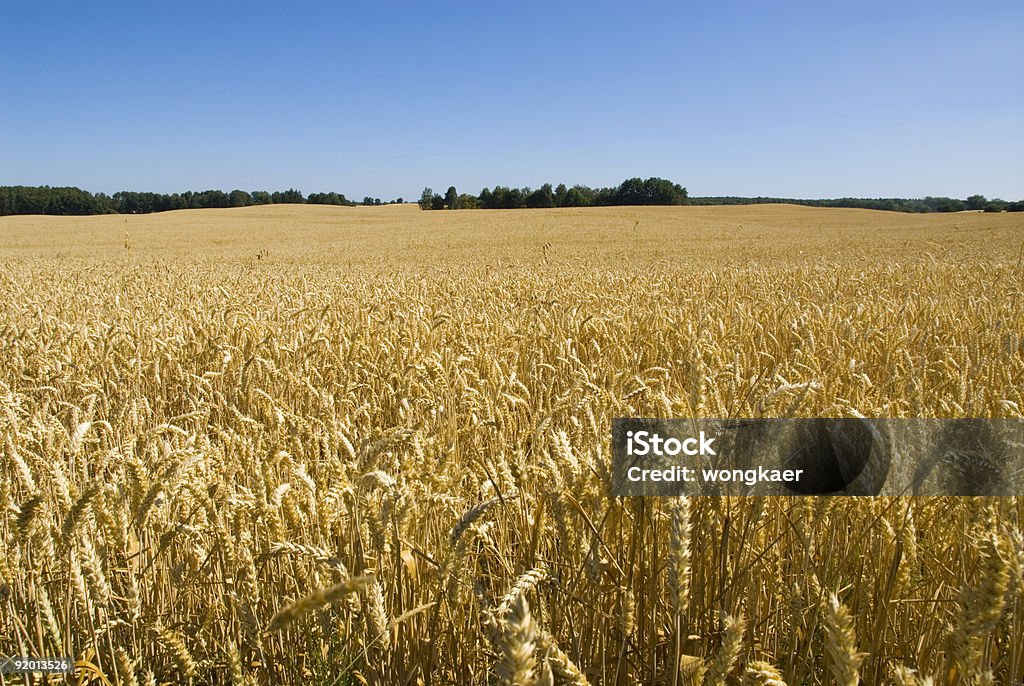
{"type": "Point", "coordinates": [631, 192]}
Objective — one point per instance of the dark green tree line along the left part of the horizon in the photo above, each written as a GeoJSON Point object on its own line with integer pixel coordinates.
{"type": "Point", "coordinates": [73, 201]}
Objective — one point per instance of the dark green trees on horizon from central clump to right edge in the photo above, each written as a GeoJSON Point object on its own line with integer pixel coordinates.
{"type": "Point", "coordinates": [661, 192]}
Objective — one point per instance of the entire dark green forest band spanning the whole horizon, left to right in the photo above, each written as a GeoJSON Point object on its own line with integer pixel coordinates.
{"type": "Point", "coordinates": [73, 201]}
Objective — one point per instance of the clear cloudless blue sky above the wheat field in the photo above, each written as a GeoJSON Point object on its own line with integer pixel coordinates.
{"type": "Point", "coordinates": [805, 100]}
